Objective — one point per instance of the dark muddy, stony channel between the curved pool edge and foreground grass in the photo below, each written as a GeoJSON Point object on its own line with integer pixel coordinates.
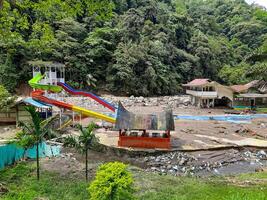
{"type": "Point", "coordinates": [197, 163]}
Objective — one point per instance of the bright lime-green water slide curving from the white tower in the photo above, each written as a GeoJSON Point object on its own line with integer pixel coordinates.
{"type": "Point", "coordinates": [34, 83]}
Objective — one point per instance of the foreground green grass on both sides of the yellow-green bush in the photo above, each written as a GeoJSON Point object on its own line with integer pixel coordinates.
{"type": "Point", "coordinates": [22, 184]}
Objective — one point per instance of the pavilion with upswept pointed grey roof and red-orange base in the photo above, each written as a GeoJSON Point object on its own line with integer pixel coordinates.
{"type": "Point", "coordinates": [144, 131]}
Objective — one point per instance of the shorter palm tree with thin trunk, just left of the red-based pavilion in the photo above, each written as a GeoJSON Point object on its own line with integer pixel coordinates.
{"type": "Point", "coordinates": [83, 143]}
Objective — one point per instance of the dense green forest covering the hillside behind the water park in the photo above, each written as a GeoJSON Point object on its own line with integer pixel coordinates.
{"type": "Point", "coordinates": [139, 47]}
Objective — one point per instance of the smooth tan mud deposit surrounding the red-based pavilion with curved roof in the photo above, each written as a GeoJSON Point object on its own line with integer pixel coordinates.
{"type": "Point", "coordinates": [198, 135]}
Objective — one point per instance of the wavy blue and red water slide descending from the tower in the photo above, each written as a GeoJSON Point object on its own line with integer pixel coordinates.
{"type": "Point", "coordinates": [72, 91]}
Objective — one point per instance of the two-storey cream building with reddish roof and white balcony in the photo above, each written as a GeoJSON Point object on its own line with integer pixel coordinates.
{"type": "Point", "coordinates": [206, 93]}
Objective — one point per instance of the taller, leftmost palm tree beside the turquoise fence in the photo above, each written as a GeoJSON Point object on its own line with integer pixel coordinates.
{"type": "Point", "coordinates": [33, 134]}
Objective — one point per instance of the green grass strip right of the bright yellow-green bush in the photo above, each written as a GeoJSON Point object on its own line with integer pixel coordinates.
{"type": "Point", "coordinates": [157, 187]}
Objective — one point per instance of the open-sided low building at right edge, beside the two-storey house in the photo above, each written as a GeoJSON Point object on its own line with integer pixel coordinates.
{"type": "Point", "coordinates": [251, 96]}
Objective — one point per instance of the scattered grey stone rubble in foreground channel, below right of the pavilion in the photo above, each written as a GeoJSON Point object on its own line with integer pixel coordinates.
{"type": "Point", "coordinates": [178, 163]}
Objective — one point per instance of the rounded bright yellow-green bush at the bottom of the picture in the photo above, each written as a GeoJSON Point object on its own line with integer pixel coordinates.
{"type": "Point", "coordinates": [113, 182]}
